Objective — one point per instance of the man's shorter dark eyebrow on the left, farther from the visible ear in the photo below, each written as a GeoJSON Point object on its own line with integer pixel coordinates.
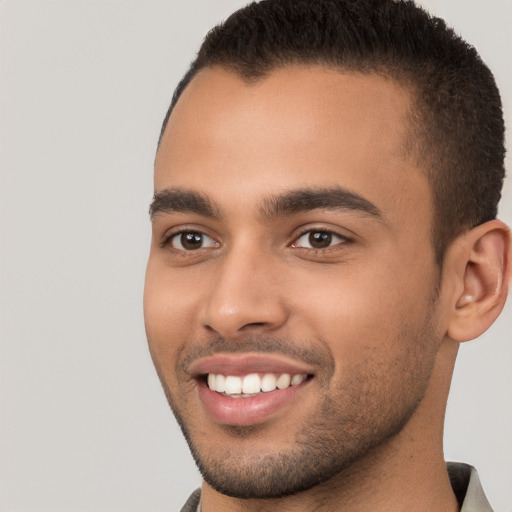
{"type": "Point", "coordinates": [181, 201]}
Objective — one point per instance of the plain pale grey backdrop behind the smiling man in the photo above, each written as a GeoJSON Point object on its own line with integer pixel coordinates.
{"type": "Point", "coordinates": [84, 424]}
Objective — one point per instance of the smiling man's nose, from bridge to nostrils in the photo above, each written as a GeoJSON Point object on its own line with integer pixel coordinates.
{"type": "Point", "coordinates": [246, 295]}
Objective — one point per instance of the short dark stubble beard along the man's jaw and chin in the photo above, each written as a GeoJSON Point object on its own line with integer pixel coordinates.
{"type": "Point", "coordinates": [340, 438]}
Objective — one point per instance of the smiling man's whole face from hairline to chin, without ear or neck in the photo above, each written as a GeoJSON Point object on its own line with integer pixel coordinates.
{"type": "Point", "coordinates": [290, 297]}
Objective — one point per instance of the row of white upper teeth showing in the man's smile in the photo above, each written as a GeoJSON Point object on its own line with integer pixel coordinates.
{"type": "Point", "coordinates": [252, 384]}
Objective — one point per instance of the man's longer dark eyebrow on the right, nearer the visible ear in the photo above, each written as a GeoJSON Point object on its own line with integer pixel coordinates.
{"type": "Point", "coordinates": [303, 200]}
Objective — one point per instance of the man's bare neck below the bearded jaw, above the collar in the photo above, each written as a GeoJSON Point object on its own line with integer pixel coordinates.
{"type": "Point", "coordinates": [408, 472]}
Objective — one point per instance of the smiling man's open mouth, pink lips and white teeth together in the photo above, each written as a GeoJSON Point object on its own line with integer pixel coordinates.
{"type": "Point", "coordinates": [249, 390]}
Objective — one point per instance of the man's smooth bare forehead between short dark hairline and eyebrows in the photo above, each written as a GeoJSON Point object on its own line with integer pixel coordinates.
{"type": "Point", "coordinates": [296, 127]}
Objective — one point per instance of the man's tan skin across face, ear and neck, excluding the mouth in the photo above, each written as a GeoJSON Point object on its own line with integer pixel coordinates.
{"type": "Point", "coordinates": [371, 315]}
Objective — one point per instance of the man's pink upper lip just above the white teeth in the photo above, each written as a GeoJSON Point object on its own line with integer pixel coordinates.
{"type": "Point", "coordinates": [243, 364]}
